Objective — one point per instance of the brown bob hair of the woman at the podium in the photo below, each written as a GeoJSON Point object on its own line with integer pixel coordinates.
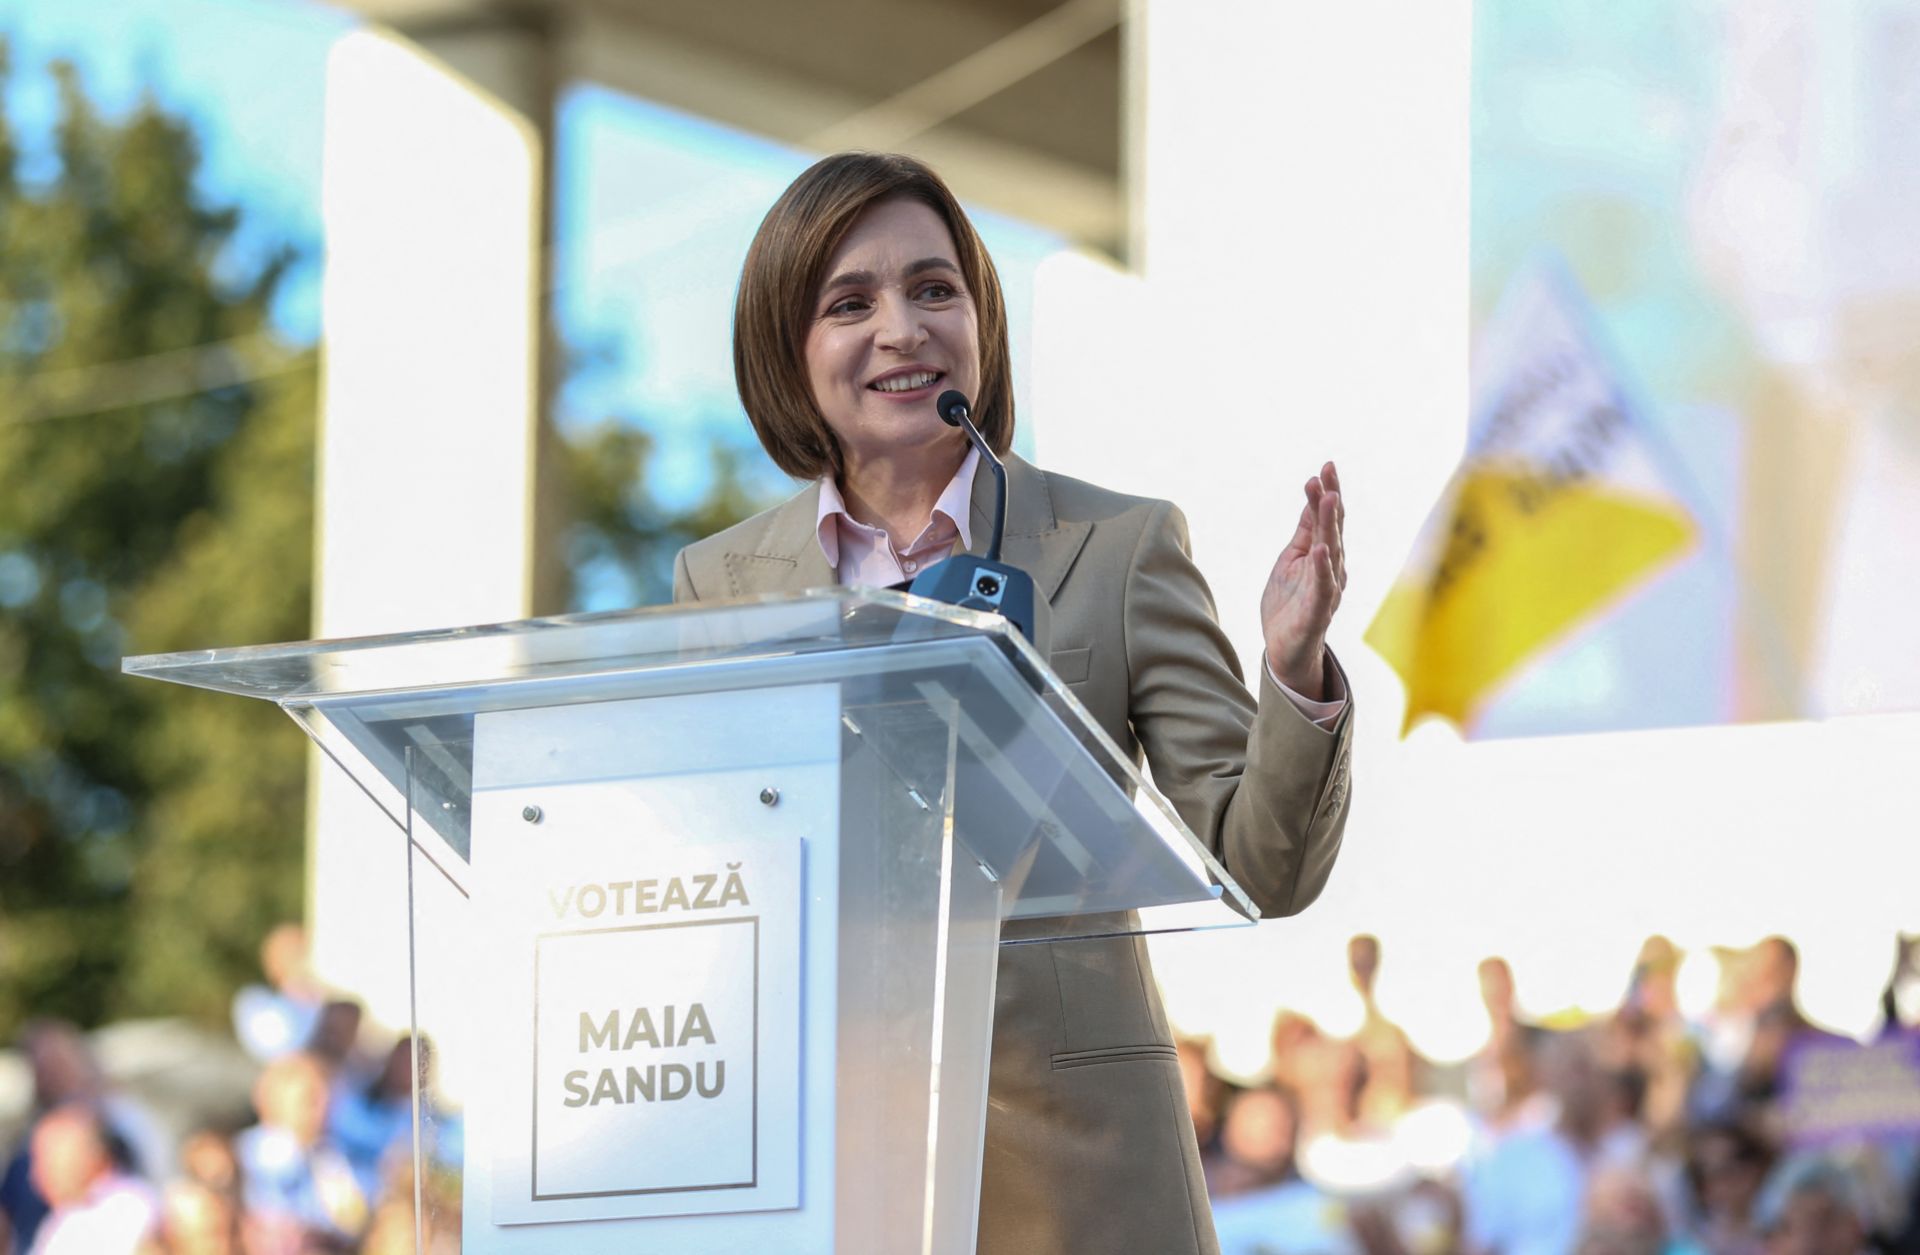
{"type": "Point", "coordinates": [784, 272]}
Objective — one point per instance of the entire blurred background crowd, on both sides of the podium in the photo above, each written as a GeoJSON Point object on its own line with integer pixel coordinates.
{"type": "Point", "coordinates": [1639, 1133]}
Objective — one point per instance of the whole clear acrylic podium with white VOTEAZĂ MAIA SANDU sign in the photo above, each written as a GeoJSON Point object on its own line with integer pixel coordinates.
{"type": "Point", "coordinates": [706, 905]}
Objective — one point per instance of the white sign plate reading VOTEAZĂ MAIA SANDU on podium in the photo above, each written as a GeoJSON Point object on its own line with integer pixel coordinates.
{"type": "Point", "coordinates": [663, 982]}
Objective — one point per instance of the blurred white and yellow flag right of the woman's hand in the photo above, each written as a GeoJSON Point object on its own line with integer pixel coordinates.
{"type": "Point", "coordinates": [1554, 515]}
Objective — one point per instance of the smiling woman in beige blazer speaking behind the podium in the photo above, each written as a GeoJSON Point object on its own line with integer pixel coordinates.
{"type": "Point", "coordinates": [865, 296]}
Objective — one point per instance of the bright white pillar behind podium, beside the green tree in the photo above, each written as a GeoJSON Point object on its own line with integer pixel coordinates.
{"type": "Point", "coordinates": [431, 318]}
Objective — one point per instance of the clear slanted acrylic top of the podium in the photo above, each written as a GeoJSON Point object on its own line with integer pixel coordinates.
{"type": "Point", "coordinates": [398, 713]}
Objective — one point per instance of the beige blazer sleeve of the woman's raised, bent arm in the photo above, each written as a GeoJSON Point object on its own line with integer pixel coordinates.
{"type": "Point", "coordinates": [1257, 780]}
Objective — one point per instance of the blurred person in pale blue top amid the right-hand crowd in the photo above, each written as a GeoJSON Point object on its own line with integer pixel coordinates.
{"type": "Point", "coordinates": [1527, 1195]}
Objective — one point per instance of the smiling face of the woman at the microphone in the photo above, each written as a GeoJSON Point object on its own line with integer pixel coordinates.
{"type": "Point", "coordinates": [894, 327]}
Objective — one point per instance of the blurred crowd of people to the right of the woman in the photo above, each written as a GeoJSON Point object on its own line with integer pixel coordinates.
{"type": "Point", "coordinates": [1637, 1133]}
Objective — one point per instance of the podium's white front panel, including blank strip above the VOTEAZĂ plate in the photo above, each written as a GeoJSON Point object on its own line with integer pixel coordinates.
{"type": "Point", "coordinates": [650, 935]}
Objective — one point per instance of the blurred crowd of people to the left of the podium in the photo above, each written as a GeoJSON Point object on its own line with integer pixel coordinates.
{"type": "Point", "coordinates": [322, 1164]}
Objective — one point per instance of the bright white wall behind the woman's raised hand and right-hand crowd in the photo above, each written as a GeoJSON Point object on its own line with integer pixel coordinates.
{"type": "Point", "coordinates": [1303, 185]}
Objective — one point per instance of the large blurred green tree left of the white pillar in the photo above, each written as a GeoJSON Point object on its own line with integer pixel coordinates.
{"type": "Point", "coordinates": [156, 488]}
